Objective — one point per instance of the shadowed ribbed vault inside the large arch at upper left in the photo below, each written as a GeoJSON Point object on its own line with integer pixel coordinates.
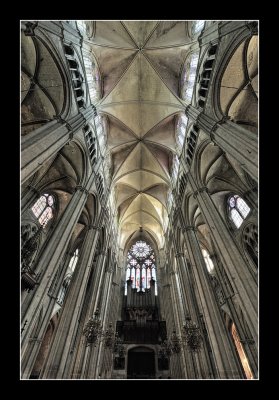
{"type": "Point", "coordinates": [41, 97]}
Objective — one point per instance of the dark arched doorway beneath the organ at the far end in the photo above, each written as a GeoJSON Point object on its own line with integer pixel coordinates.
{"type": "Point", "coordinates": [141, 363]}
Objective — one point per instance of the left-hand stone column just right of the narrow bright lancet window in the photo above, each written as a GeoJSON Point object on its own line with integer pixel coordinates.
{"type": "Point", "coordinates": [63, 345]}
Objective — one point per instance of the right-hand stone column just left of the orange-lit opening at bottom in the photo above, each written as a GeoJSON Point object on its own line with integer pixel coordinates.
{"type": "Point", "coordinates": [223, 355]}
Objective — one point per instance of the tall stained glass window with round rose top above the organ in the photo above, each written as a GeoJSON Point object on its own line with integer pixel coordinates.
{"type": "Point", "coordinates": [141, 266]}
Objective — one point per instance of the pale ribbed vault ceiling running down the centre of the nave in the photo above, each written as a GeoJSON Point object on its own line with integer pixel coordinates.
{"type": "Point", "coordinates": [140, 63]}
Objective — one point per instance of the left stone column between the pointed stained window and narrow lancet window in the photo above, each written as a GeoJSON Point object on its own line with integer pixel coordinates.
{"type": "Point", "coordinates": [47, 265]}
